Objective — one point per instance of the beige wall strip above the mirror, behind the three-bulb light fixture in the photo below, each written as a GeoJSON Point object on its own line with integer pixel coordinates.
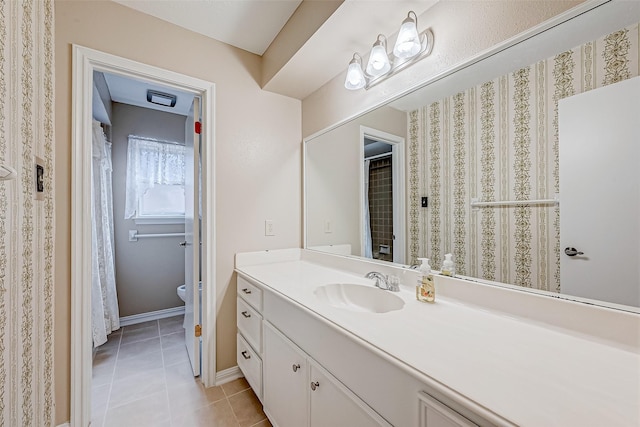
{"type": "Point", "coordinates": [462, 29]}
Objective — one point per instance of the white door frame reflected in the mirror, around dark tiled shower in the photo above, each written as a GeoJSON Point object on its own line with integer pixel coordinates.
{"type": "Point", "coordinates": [398, 182]}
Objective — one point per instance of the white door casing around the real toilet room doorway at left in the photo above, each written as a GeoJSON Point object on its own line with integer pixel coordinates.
{"type": "Point", "coordinates": [86, 63]}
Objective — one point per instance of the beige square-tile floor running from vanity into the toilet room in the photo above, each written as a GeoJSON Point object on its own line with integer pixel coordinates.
{"type": "Point", "coordinates": [142, 377]}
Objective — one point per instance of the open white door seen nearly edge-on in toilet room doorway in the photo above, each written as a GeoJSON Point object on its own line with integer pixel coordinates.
{"type": "Point", "coordinates": [192, 237]}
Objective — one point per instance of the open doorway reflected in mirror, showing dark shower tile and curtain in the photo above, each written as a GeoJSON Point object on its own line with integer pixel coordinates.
{"type": "Point", "coordinates": [382, 195]}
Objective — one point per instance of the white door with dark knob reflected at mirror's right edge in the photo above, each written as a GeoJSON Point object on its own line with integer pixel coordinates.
{"type": "Point", "coordinates": [600, 193]}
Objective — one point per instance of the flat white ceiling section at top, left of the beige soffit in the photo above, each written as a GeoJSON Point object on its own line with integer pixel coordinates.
{"type": "Point", "coordinates": [247, 24]}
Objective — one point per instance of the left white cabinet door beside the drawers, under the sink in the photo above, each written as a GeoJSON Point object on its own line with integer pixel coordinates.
{"type": "Point", "coordinates": [285, 380]}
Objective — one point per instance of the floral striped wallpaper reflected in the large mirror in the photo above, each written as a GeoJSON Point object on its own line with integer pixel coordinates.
{"type": "Point", "coordinates": [499, 141]}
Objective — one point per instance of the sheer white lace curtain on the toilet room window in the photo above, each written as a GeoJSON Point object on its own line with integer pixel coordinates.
{"type": "Point", "coordinates": [151, 162]}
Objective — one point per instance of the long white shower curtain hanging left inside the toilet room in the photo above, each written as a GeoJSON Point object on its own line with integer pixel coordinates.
{"type": "Point", "coordinates": [105, 317]}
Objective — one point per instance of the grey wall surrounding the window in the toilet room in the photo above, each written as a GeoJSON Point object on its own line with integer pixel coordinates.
{"type": "Point", "coordinates": [149, 270]}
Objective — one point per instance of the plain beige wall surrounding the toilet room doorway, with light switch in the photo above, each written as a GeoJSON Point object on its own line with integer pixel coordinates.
{"type": "Point", "coordinates": [258, 167]}
